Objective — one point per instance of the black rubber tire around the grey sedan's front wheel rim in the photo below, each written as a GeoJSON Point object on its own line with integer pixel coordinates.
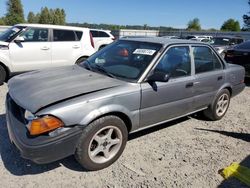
{"type": "Point", "coordinates": [87, 135]}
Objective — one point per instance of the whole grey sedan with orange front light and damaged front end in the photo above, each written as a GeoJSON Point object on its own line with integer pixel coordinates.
{"type": "Point", "coordinates": [88, 110]}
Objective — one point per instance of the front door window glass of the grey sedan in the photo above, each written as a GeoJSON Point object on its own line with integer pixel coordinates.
{"type": "Point", "coordinates": [176, 62]}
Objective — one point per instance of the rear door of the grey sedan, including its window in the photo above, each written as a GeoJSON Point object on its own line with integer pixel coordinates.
{"type": "Point", "coordinates": [209, 75]}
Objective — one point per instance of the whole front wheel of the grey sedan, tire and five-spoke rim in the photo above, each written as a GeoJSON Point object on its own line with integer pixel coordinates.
{"type": "Point", "coordinates": [101, 143]}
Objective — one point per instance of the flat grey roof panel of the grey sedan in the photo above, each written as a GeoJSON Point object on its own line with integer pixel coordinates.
{"type": "Point", "coordinates": [162, 40]}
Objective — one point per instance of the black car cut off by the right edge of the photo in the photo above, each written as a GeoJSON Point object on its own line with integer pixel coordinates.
{"type": "Point", "coordinates": [240, 55]}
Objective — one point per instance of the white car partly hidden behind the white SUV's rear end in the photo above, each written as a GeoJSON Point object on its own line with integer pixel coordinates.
{"type": "Point", "coordinates": [101, 38]}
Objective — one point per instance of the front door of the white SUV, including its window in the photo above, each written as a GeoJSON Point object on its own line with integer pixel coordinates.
{"type": "Point", "coordinates": [33, 53]}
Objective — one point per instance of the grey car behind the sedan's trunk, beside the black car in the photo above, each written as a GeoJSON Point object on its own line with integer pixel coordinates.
{"type": "Point", "coordinates": [222, 43]}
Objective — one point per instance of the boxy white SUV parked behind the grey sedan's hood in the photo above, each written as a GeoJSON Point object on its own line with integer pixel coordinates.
{"type": "Point", "coordinates": [26, 47]}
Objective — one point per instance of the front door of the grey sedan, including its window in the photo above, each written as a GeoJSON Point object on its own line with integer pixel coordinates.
{"type": "Point", "coordinates": [162, 101]}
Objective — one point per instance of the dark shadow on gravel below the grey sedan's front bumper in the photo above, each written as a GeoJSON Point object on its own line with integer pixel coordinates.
{"type": "Point", "coordinates": [18, 166]}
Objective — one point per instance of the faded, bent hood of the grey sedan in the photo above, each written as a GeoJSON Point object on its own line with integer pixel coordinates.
{"type": "Point", "coordinates": [37, 89]}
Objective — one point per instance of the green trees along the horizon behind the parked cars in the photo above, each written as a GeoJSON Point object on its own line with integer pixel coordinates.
{"type": "Point", "coordinates": [57, 16]}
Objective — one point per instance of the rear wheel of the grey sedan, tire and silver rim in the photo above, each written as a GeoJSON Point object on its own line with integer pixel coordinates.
{"type": "Point", "coordinates": [219, 107]}
